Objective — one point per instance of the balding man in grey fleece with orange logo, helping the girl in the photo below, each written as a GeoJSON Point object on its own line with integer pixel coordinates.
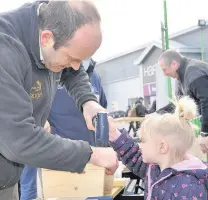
{"type": "Point", "coordinates": [37, 42]}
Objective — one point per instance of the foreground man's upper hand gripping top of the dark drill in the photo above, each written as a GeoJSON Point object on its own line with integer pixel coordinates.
{"type": "Point", "coordinates": [90, 110]}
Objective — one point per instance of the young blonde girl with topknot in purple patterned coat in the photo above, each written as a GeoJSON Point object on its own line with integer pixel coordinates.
{"type": "Point", "coordinates": [160, 157]}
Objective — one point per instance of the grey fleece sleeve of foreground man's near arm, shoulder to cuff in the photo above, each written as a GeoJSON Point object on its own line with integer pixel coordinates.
{"type": "Point", "coordinates": [21, 141]}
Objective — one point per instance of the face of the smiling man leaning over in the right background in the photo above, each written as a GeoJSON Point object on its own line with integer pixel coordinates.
{"type": "Point", "coordinates": [169, 70]}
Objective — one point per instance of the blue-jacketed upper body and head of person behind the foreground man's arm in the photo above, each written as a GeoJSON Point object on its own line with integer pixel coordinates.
{"type": "Point", "coordinates": [64, 109]}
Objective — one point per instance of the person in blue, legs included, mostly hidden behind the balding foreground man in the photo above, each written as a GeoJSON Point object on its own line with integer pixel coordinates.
{"type": "Point", "coordinates": [67, 121]}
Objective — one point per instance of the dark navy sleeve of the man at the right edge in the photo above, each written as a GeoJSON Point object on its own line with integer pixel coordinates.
{"type": "Point", "coordinates": [199, 90]}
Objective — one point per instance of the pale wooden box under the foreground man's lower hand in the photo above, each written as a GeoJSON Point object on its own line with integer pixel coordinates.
{"type": "Point", "coordinates": [92, 182]}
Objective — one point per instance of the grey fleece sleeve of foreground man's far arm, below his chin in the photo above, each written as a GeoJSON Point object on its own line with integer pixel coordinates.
{"type": "Point", "coordinates": [78, 85]}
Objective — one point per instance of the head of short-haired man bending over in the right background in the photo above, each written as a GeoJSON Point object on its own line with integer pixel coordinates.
{"type": "Point", "coordinates": [169, 62]}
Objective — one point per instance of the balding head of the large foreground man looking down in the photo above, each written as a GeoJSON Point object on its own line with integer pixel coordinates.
{"type": "Point", "coordinates": [69, 33]}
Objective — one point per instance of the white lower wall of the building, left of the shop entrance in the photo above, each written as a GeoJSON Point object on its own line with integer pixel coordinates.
{"type": "Point", "coordinates": [122, 90]}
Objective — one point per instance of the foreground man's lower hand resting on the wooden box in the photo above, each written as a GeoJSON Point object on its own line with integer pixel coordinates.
{"type": "Point", "coordinates": [105, 157]}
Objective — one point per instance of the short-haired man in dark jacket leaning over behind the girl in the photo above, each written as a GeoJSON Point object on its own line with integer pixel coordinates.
{"type": "Point", "coordinates": [192, 76]}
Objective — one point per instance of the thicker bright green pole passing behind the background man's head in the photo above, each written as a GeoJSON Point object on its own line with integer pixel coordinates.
{"type": "Point", "coordinates": [167, 45]}
